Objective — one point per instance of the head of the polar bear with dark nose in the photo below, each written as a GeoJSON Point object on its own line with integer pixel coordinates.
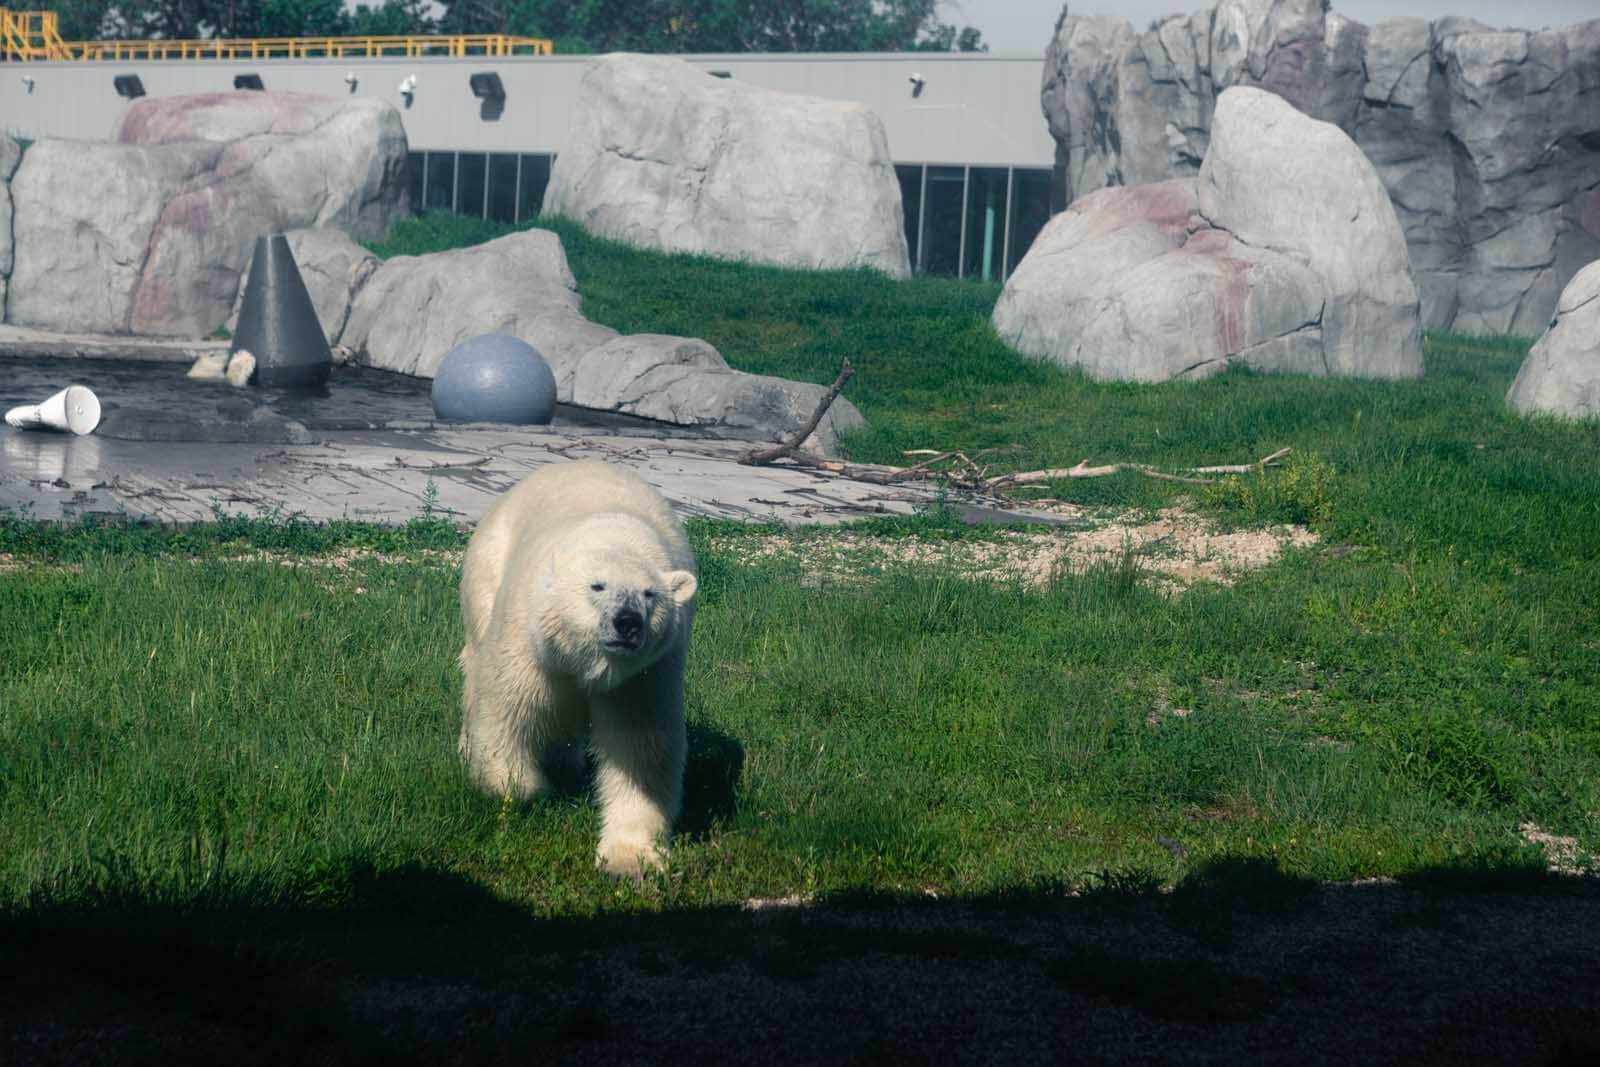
{"type": "Point", "coordinates": [615, 613]}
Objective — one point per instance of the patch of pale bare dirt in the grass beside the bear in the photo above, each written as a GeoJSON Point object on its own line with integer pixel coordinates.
{"type": "Point", "coordinates": [1175, 548]}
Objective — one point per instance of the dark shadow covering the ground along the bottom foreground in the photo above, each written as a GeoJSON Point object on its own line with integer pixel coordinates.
{"type": "Point", "coordinates": [1241, 962]}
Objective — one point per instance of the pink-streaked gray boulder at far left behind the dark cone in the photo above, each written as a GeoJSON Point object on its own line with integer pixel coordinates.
{"type": "Point", "coordinates": [151, 234]}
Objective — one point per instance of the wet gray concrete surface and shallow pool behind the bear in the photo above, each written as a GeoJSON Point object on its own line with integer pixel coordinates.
{"type": "Point", "coordinates": [366, 449]}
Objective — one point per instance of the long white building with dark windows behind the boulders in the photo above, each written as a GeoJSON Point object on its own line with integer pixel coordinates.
{"type": "Point", "coordinates": [967, 134]}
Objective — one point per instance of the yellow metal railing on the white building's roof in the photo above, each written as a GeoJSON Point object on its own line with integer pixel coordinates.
{"type": "Point", "coordinates": [36, 36]}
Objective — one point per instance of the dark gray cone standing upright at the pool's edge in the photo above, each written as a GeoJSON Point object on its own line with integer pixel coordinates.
{"type": "Point", "coordinates": [278, 322]}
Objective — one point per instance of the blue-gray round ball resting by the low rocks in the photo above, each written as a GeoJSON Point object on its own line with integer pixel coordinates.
{"type": "Point", "coordinates": [495, 378]}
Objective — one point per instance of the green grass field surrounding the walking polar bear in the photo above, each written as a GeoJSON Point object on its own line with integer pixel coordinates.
{"type": "Point", "coordinates": [263, 714]}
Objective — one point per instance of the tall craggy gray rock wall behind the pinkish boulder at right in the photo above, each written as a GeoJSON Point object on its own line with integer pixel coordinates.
{"type": "Point", "coordinates": [1487, 142]}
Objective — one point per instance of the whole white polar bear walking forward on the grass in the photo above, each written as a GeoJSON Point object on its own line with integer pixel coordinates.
{"type": "Point", "coordinates": [578, 599]}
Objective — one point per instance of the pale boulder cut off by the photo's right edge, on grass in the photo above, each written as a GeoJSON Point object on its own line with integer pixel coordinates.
{"type": "Point", "coordinates": [1562, 372]}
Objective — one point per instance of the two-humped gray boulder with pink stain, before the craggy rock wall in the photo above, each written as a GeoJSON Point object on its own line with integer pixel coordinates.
{"type": "Point", "coordinates": [1282, 255]}
